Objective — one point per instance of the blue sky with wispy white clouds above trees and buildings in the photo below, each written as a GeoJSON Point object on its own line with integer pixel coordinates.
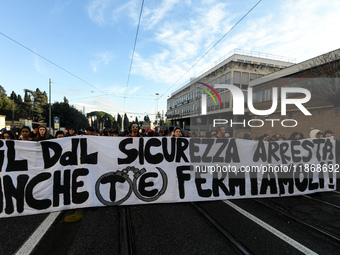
{"type": "Point", "coordinates": [85, 47]}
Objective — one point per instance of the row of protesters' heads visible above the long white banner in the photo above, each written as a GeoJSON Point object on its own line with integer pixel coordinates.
{"type": "Point", "coordinates": [41, 132]}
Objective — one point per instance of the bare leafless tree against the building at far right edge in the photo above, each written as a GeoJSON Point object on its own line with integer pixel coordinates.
{"type": "Point", "coordinates": [325, 76]}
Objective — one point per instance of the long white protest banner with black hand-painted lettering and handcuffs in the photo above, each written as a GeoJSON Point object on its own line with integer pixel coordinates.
{"type": "Point", "coordinates": [45, 175]}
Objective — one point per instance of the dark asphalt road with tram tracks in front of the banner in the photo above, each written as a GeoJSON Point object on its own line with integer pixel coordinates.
{"type": "Point", "coordinates": [263, 226]}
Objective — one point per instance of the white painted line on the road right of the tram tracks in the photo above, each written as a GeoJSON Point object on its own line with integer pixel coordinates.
{"type": "Point", "coordinates": [274, 231]}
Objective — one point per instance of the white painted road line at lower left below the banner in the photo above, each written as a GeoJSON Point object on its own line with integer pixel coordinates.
{"type": "Point", "coordinates": [38, 234]}
